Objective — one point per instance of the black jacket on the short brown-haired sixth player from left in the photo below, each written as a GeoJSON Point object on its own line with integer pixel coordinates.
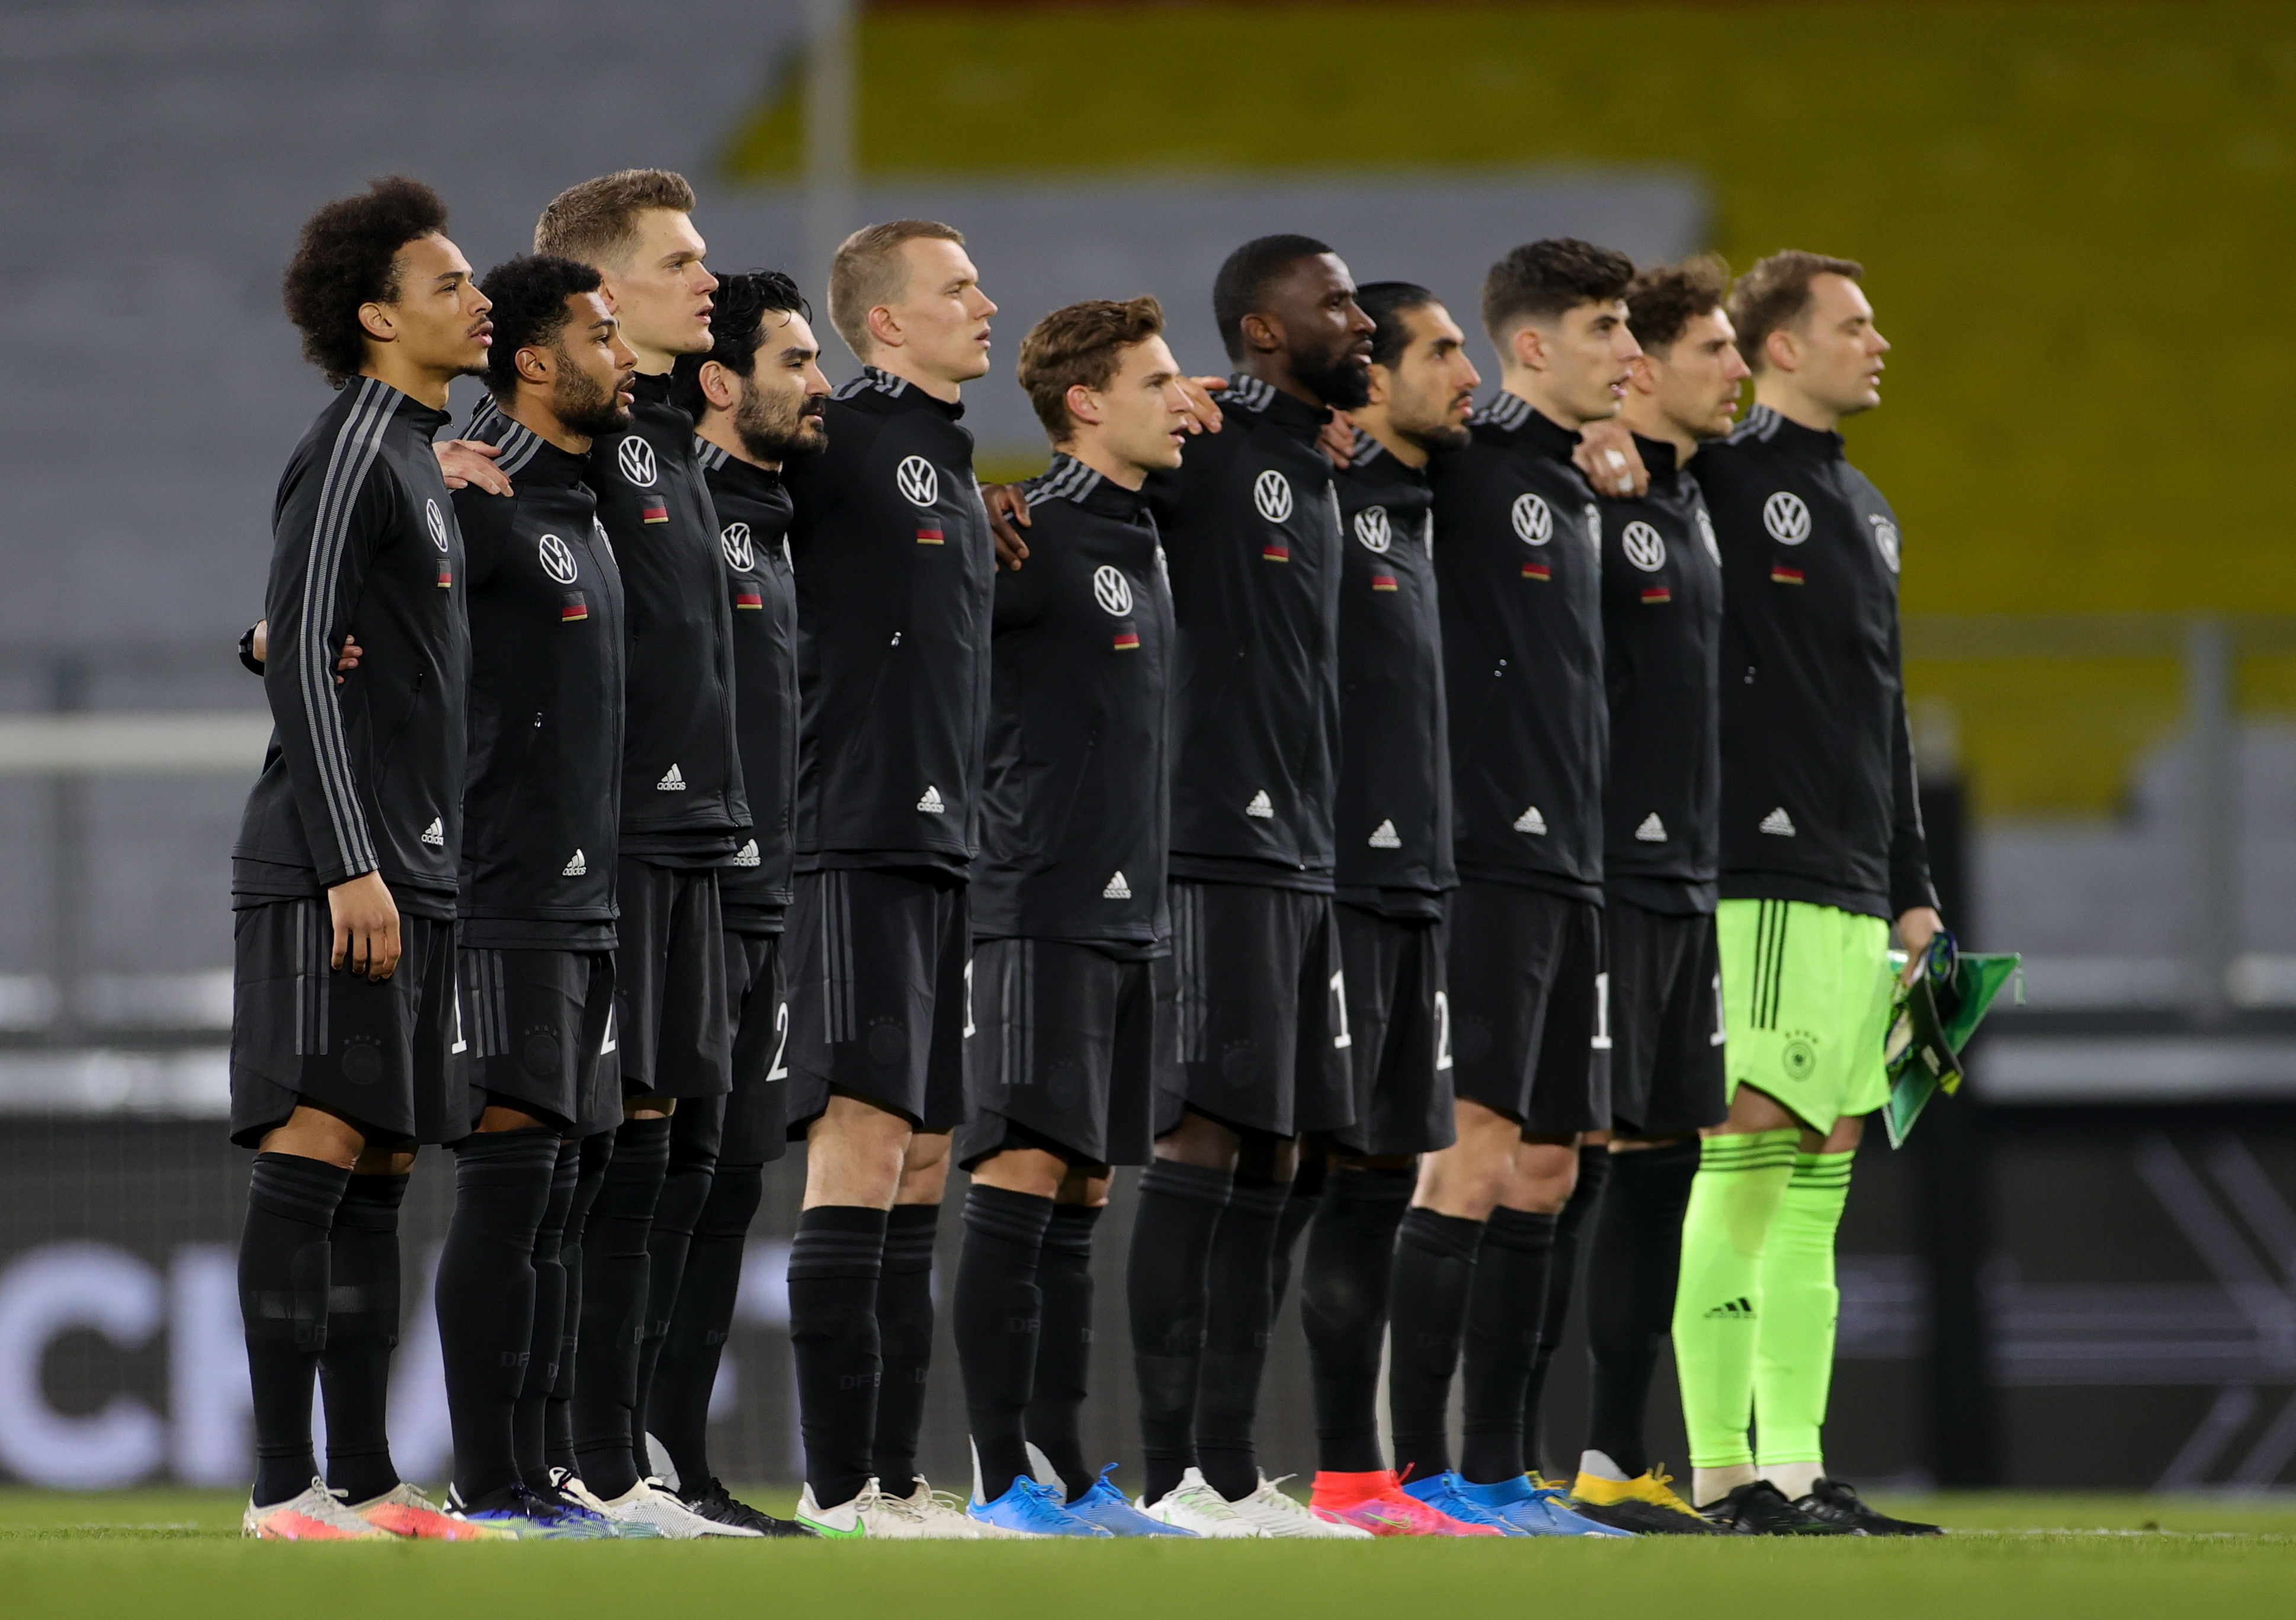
{"type": "Point", "coordinates": [1078, 802]}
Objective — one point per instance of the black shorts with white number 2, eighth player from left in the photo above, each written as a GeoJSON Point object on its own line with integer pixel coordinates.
{"type": "Point", "coordinates": [1397, 1029]}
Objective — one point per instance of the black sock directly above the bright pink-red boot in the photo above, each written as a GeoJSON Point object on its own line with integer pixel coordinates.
{"type": "Point", "coordinates": [1344, 1284]}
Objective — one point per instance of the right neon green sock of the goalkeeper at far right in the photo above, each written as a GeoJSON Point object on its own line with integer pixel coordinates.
{"type": "Point", "coordinates": [1794, 1362]}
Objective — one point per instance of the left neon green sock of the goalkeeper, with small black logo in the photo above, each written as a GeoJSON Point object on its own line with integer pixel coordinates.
{"type": "Point", "coordinates": [1719, 1304]}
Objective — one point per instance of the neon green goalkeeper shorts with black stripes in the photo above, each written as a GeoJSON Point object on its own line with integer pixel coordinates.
{"type": "Point", "coordinates": [1806, 1006]}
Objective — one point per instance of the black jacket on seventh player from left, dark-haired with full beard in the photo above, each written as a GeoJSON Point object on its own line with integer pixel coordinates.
{"type": "Point", "coordinates": [1252, 531]}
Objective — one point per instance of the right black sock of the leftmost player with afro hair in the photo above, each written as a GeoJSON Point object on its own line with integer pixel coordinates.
{"type": "Point", "coordinates": [362, 1332]}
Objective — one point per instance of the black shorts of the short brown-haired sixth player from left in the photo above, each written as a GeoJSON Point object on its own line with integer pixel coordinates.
{"type": "Point", "coordinates": [1064, 1054]}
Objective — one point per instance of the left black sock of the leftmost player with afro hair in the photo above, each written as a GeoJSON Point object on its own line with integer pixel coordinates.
{"type": "Point", "coordinates": [284, 1279]}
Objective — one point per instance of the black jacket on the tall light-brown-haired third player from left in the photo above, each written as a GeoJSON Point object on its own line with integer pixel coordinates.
{"type": "Point", "coordinates": [683, 802]}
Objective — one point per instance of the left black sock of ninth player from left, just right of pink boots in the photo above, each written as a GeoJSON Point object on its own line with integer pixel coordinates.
{"type": "Point", "coordinates": [1427, 1307]}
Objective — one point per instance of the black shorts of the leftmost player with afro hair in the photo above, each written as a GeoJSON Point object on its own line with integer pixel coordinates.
{"type": "Point", "coordinates": [375, 1054]}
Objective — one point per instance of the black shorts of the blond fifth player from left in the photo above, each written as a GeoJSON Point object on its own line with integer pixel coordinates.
{"type": "Point", "coordinates": [878, 995]}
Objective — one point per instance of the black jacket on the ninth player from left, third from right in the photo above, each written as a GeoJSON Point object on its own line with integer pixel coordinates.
{"type": "Point", "coordinates": [1521, 577]}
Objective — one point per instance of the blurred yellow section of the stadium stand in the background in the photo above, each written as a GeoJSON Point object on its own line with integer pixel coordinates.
{"type": "Point", "coordinates": [2077, 224]}
